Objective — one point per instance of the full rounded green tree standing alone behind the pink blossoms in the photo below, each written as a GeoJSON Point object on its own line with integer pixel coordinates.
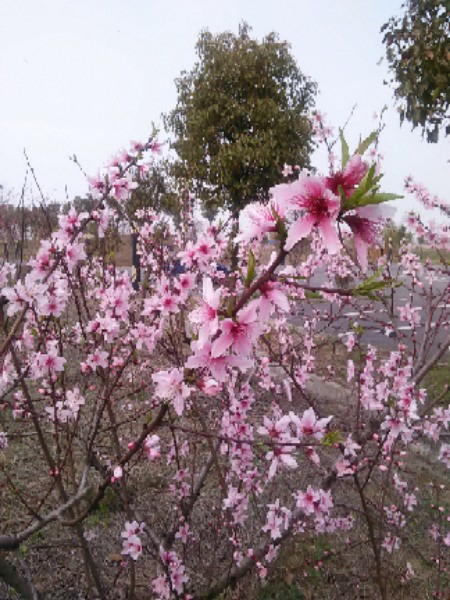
{"type": "Point", "coordinates": [242, 112]}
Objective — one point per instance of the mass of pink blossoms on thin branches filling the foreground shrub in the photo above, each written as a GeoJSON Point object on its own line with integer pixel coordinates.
{"type": "Point", "coordinates": [200, 381]}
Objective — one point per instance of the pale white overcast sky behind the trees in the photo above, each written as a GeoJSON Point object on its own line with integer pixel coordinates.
{"type": "Point", "coordinates": [85, 77]}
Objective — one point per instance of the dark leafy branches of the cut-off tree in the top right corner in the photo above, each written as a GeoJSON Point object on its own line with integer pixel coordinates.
{"type": "Point", "coordinates": [418, 53]}
